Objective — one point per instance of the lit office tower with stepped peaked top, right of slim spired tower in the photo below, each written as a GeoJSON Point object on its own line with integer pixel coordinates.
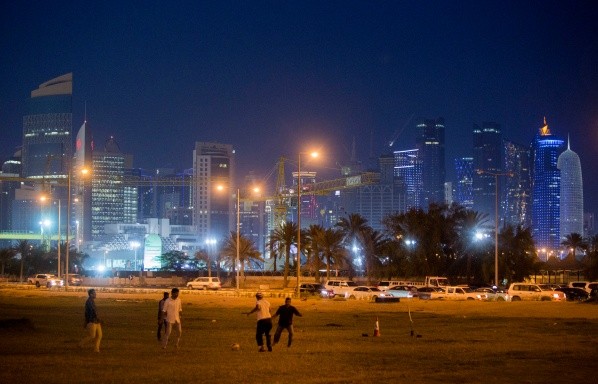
{"type": "Point", "coordinates": [108, 192]}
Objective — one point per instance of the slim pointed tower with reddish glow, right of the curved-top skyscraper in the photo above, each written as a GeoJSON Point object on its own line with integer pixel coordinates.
{"type": "Point", "coordinates": [83, 160]}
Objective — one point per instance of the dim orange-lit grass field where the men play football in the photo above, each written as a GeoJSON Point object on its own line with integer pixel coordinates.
{"type": "Point", "coordinates": [460, 342]}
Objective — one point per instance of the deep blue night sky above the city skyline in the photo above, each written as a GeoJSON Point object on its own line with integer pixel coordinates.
{"type": "Point", "coordinates": [273, 78]}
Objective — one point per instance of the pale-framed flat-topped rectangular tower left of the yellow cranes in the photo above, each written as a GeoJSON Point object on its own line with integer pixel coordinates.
{"type": "Point", "coordinates": [214, 187]}
